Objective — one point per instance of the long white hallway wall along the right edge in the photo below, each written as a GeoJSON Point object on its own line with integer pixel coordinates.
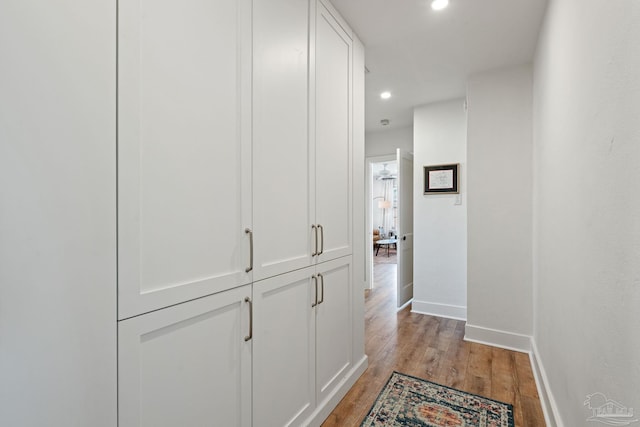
{"type": "Point", "coordinates": [587, 204]}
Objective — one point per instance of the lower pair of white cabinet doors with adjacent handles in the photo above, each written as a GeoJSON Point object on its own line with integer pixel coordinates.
{"type": "Point", "coordinates": [302, 341]}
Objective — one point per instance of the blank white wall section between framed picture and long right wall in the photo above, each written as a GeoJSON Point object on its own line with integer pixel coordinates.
{"type": "Point", "coordinates": [500, 177]}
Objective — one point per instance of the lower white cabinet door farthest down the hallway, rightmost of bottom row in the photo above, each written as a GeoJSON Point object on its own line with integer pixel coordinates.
{"type": "Point", "coordinates": [333, 325]}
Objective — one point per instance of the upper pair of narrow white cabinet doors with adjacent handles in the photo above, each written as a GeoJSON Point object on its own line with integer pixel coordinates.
{"type": "Point", "coordinates": [302, 136]}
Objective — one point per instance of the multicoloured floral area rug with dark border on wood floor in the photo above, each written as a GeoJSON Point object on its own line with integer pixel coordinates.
{"type": "Point", "coordinates": [410, 401]}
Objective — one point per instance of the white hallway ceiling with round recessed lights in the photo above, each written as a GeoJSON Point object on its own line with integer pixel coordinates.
{"type": "Point", "coordinates": [422, 56]}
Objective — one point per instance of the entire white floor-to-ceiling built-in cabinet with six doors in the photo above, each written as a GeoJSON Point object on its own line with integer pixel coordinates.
{"type": "Point", "coordinates": [235, 213]}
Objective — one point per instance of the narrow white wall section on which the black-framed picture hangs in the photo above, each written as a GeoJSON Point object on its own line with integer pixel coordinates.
{"type": "Point", "coordinates": [440, 226]}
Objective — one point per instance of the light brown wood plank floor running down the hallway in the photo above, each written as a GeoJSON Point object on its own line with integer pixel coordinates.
{"type": "Point", "coordinates": [433, 348]}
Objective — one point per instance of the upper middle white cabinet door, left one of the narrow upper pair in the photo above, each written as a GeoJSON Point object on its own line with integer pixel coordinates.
{"type": "Point", "coordinates": [281, 178]}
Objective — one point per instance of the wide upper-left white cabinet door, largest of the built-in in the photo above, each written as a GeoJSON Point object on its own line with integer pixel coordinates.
{"type": "Point", "coordinates": [184, 187]}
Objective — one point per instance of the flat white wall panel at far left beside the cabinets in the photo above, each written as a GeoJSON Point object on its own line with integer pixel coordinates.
{"type": "Point", "coordinates": [57, 214]}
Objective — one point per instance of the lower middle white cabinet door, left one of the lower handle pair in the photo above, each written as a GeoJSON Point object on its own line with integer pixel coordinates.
{"type": "Point", "coordinates": [283, 349]}
